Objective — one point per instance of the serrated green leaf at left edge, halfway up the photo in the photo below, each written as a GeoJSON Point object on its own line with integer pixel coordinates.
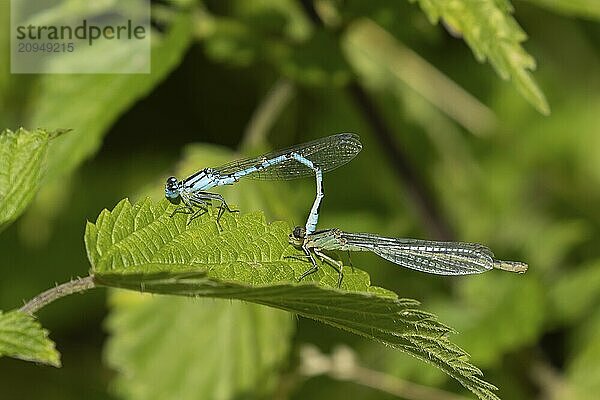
{"type": "Point", "coordinates": [22, 161]}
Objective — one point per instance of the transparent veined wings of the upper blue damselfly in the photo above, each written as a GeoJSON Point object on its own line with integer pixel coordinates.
{"type": "Point", "coordinates": [328, 153]}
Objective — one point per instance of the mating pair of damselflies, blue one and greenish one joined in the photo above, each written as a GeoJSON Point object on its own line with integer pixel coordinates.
{"type": "Point", "coordinates": [315, 158]}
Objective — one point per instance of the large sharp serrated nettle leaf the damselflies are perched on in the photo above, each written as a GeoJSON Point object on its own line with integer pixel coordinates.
{"type": "Point", "coordinates": [140, 247]}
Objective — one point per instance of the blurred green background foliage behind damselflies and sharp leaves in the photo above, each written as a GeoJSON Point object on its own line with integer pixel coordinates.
{"type": "Point", "coordinates": [451, 151]}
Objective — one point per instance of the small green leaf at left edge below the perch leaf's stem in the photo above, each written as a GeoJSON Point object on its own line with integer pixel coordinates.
{"type": "Point", "coordinates": [22, 337]}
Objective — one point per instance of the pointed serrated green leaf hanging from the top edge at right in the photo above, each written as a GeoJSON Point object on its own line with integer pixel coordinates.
{"type": "Point", "coordinates": [493, 34]}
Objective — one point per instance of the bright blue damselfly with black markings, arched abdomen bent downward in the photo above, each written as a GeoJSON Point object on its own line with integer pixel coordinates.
{"type": "Point", "coordinates": [316, 157]}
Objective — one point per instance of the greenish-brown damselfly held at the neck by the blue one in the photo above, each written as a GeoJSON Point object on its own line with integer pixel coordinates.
{"type": "Point", "coordinates": [434, 257]}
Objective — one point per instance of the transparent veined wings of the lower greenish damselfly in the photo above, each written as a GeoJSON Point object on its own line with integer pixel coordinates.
{"type": "Point", "coordinates": [442, 258]}
